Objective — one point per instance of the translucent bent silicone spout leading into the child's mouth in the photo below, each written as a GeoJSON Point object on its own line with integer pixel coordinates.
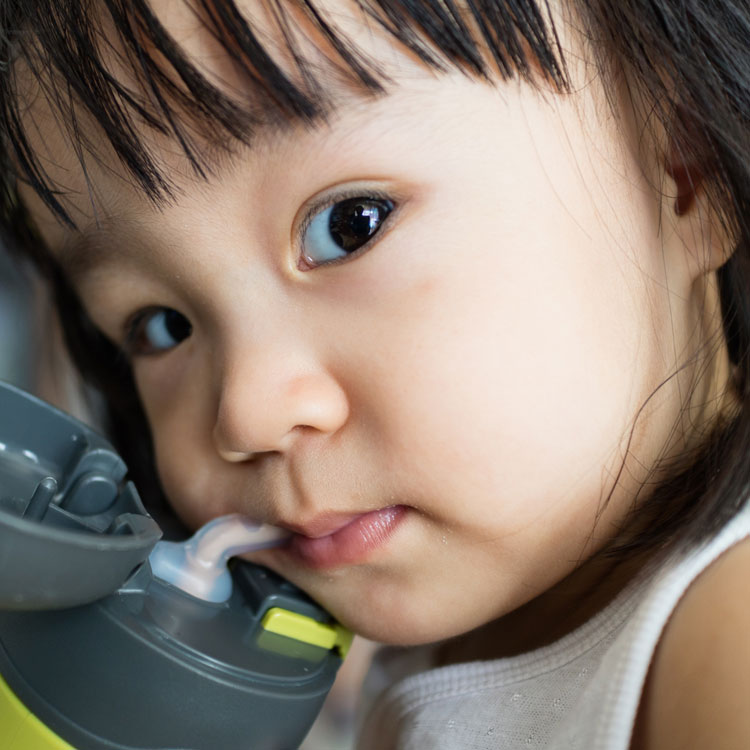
{"type": "Point", "coordinates": [198, 566]}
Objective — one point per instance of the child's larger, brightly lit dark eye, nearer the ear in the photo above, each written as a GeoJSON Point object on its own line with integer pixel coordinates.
{"type": "Point", "coordinates": [342, 228]}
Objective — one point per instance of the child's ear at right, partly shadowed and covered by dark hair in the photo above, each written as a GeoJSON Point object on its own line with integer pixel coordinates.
{"type": "Point", "coordinates": [693, 219]}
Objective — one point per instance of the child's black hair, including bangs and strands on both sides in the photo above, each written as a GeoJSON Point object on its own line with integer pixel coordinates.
{"type": "Point", "coordinates": [686, 64]}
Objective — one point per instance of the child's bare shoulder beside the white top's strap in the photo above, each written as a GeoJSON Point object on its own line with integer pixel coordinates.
{"type": "Point", "coordinates": [697, 693]}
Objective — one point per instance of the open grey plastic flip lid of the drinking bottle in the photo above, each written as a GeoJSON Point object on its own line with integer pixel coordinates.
{"type": "Point", "coordinates": [72, 529]}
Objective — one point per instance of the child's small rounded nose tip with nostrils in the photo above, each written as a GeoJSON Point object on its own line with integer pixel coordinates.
{"type": "Point", "coordinates": [260, 410]}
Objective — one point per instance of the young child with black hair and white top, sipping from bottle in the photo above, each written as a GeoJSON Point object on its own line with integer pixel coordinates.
{"type": "Point", "coordinates": [455, 293]}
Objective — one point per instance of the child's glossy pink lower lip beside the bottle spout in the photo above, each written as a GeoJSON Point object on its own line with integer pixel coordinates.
{"type": "Point", "coordinates": [350, 544]}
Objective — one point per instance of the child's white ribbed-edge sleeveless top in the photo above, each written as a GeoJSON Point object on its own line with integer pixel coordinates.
{"type": "Point", "coordinates": [581, 692]}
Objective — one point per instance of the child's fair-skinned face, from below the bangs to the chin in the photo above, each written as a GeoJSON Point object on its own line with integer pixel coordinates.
{"type": "Point", "coordinates": [460, 391]}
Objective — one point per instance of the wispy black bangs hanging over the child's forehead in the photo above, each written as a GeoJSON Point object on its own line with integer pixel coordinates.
{"type": "Point", "coordinates": [113, 64]}
